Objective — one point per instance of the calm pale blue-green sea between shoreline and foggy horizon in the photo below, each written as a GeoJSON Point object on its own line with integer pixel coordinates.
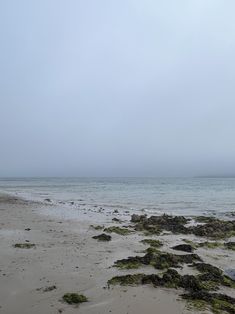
{"type": "Point", "coordinates": [185, 196]}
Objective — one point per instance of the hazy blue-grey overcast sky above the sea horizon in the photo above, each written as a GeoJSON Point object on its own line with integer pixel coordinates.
{"type": "Point", "coordinates": [117, 88]}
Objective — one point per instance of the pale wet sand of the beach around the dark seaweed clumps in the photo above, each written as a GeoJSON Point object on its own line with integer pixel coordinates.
{"type": "Point", "coordinates": [67, 259]}
